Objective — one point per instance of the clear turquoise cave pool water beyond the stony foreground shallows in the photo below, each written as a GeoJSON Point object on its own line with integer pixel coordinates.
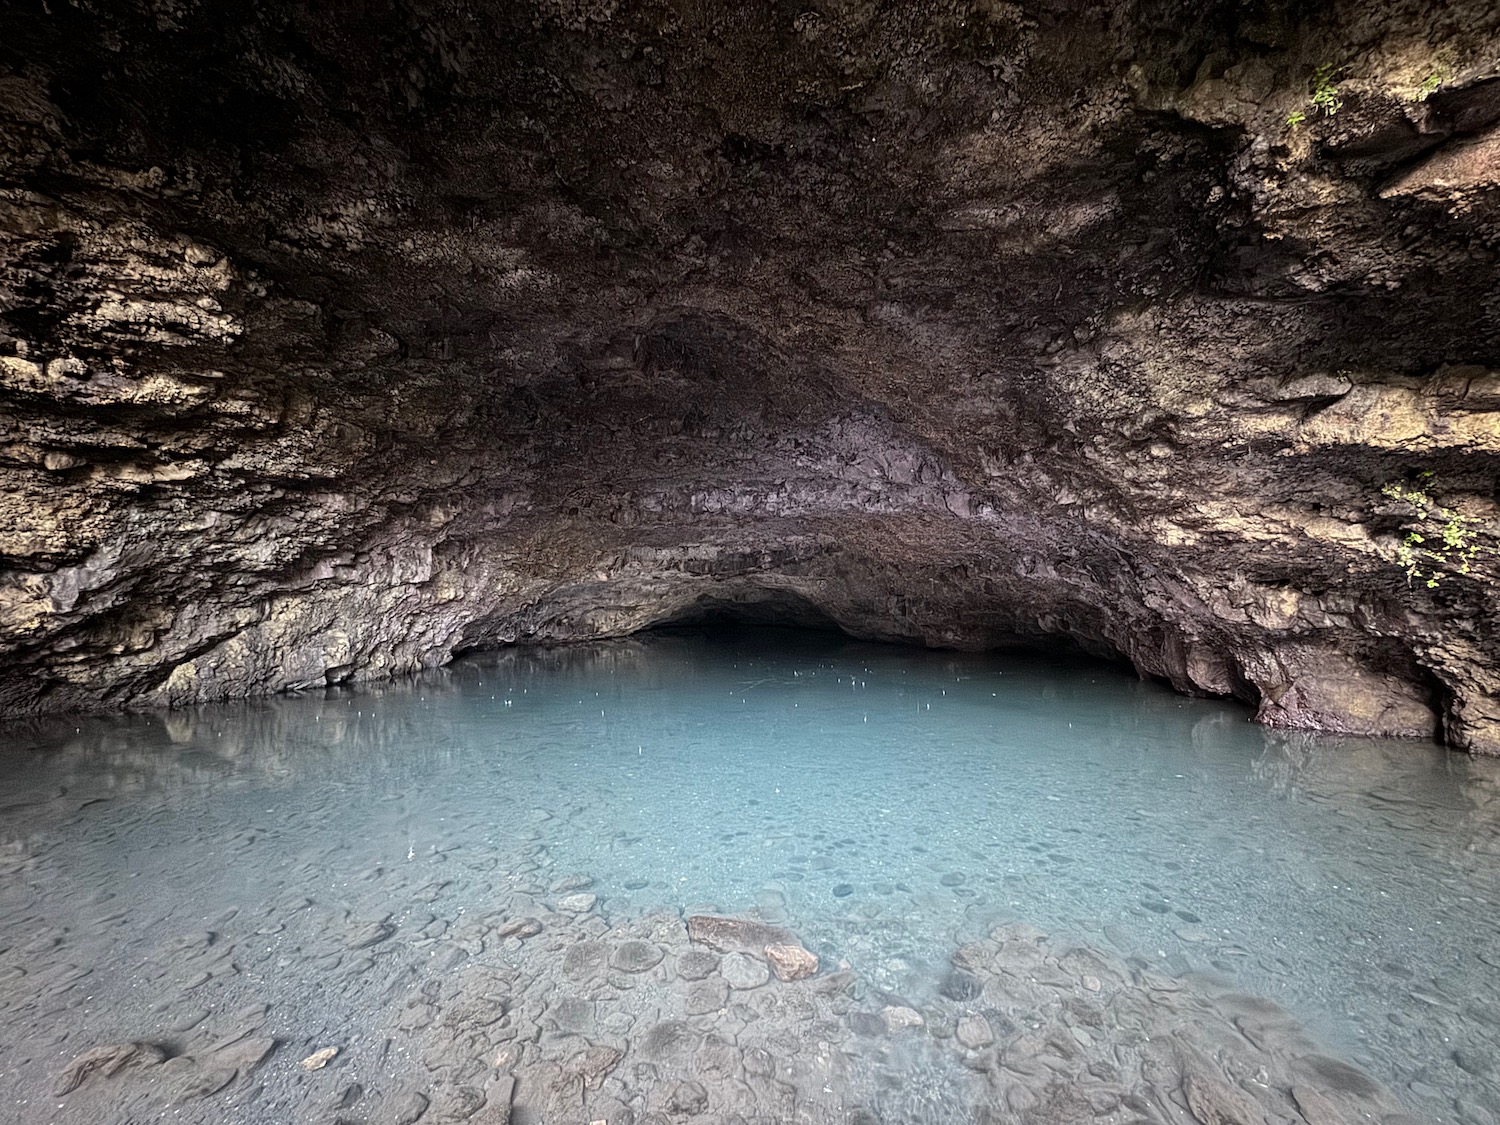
{"type": "Point", "coordinates": [884, 803]}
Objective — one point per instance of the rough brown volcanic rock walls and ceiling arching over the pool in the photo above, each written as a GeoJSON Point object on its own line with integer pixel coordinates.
{"type": "Point", "coordinates": [340, 338]}
